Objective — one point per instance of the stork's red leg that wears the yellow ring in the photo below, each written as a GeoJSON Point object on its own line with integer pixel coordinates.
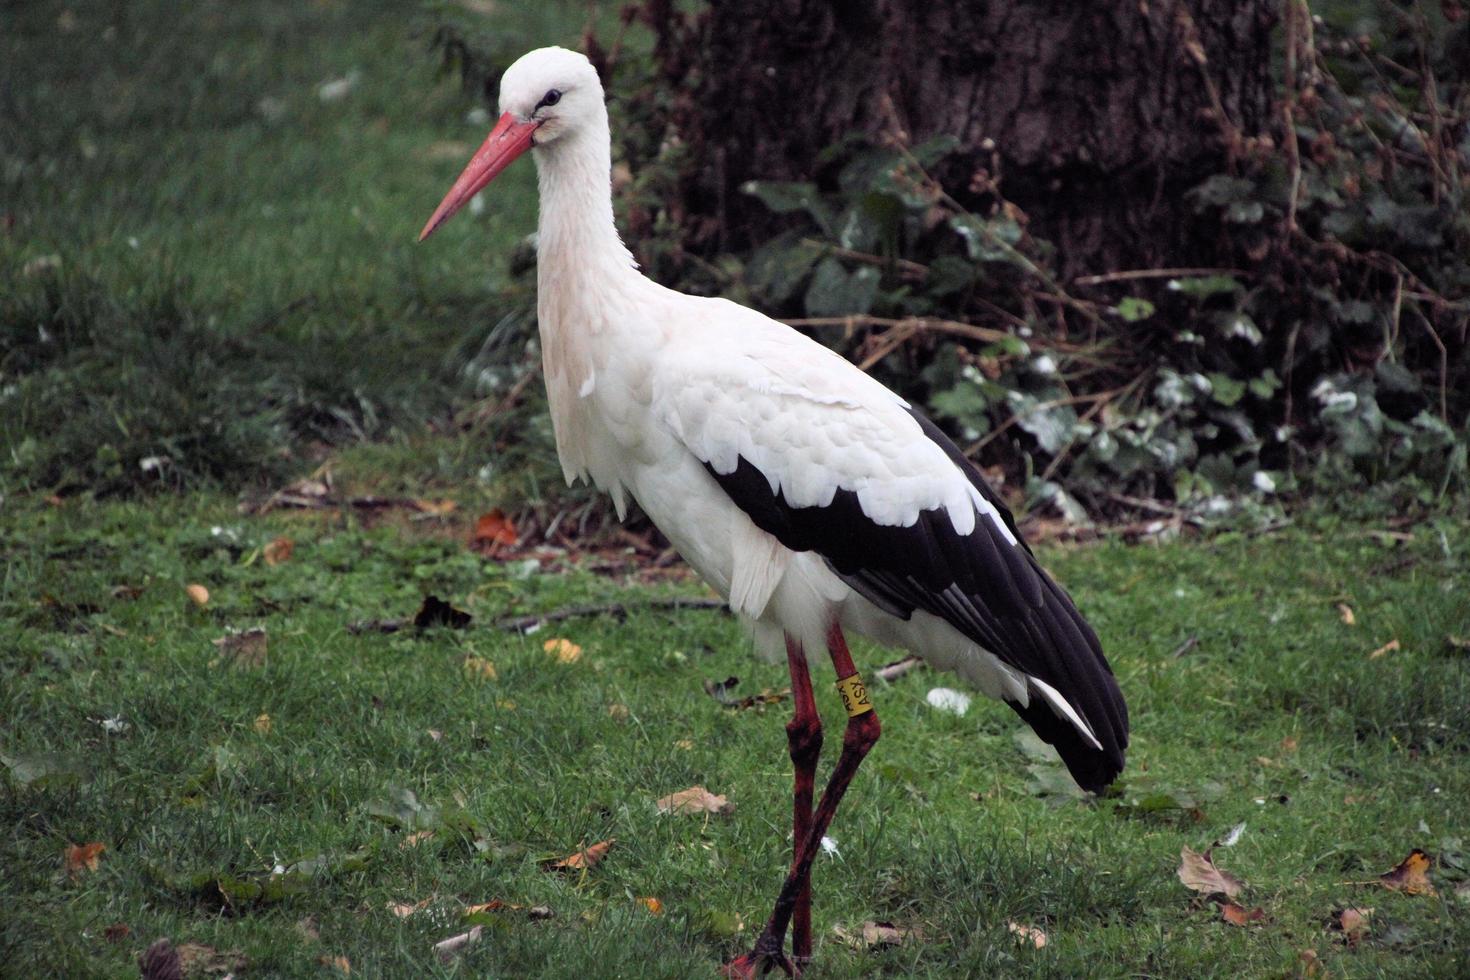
{"type": "Point", "coordinates": [862, 732]}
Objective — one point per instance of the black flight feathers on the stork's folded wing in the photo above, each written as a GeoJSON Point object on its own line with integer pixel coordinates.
{"type": "Point", "coordinates": [986, 587]}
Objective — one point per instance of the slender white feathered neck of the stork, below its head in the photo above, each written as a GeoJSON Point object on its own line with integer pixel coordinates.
{"type": "Point", "coordinates": [578, 243]}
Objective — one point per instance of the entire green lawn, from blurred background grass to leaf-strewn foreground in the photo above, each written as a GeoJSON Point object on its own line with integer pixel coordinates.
{"type": "Point", "coordinates": [207, 245]}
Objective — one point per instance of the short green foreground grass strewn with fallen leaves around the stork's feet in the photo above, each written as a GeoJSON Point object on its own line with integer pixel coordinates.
{"type": "Point", "coordinates": [1338, 763]}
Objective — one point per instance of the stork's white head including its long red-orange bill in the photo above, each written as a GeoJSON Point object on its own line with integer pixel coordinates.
{"type": "Point", "coordinates": [546, 96]}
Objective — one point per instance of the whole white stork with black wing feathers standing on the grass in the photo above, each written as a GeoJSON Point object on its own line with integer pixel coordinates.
{"type": "Point", "coordinates": [809, 496]}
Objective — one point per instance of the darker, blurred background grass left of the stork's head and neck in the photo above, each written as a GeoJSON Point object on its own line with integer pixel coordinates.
{"type": "Point", "coordinates": [207, 261]}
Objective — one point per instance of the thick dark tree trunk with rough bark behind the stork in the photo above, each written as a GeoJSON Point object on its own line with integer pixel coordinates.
{"type": "Point", "coordinates": [1093, 118]}
